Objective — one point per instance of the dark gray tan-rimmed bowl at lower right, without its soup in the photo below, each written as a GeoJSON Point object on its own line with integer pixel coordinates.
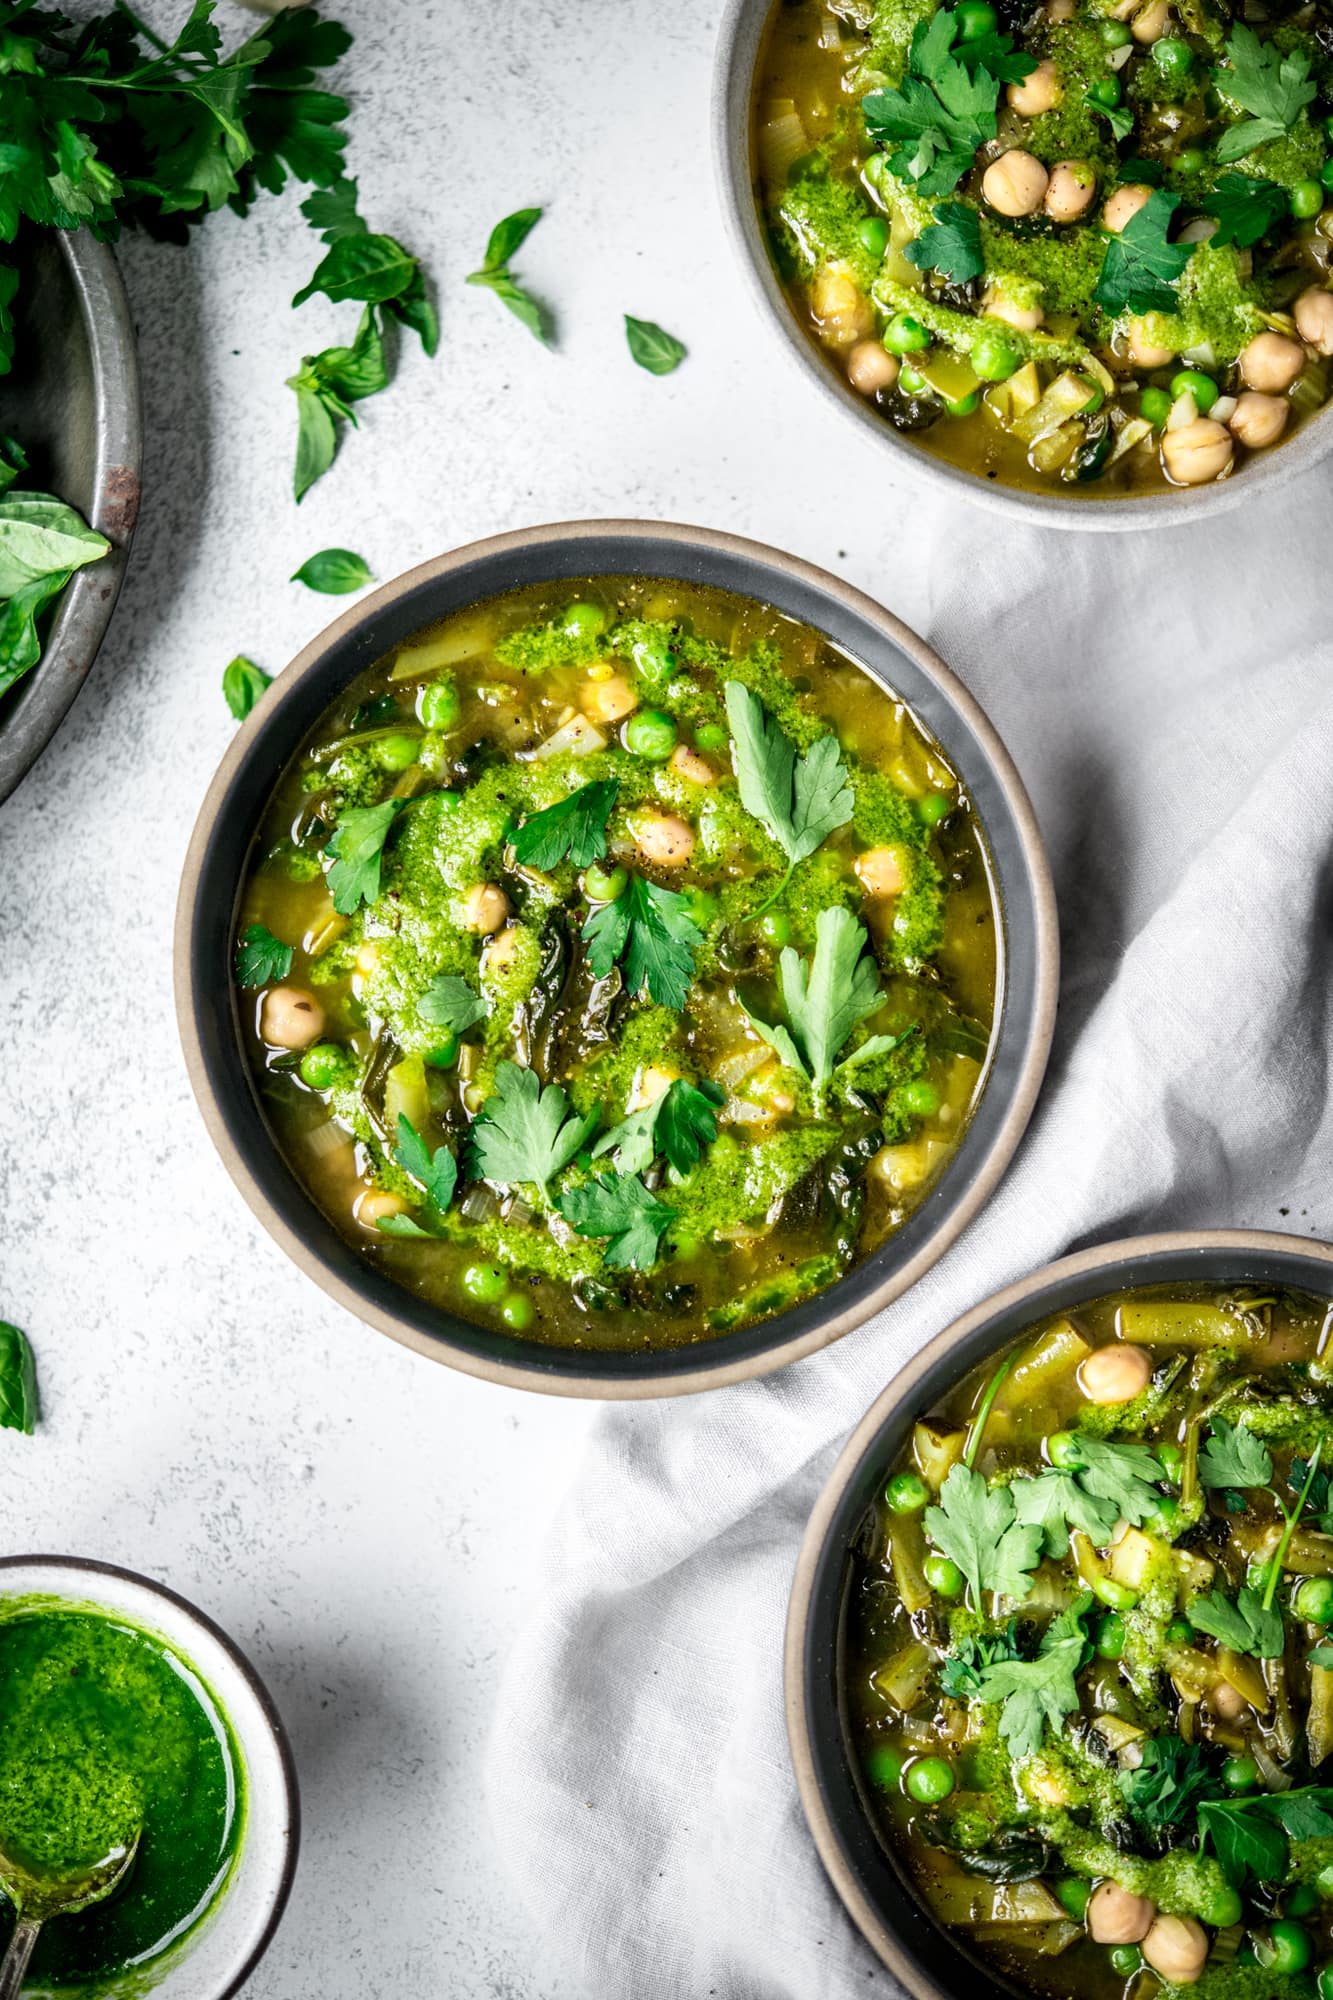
{"type": "Point", "coordinates": [866, 1875]}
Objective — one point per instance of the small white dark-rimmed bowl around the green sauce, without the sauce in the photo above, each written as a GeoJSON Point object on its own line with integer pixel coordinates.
{"type": "Point", "coordinates": [219, 1955]}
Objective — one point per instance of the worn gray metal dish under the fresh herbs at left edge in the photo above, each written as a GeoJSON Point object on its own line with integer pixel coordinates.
{"type": "Point", "coordinates": [73, 405]}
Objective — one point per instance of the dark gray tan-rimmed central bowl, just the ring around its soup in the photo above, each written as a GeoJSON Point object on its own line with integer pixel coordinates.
{"type": "Point", "coordinates": [239, 795]}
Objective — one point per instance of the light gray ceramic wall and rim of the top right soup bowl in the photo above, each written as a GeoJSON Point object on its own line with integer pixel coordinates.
{"type": "Point", "coordinates": [740, 43]}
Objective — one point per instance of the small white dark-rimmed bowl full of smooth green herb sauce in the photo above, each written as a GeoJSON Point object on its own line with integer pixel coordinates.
{"type": "Point", "coordinates": [129, 1721]}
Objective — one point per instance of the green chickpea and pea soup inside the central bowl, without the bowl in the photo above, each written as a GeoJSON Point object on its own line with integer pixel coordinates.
{"type": "Point", "coordinates": [617, 963]}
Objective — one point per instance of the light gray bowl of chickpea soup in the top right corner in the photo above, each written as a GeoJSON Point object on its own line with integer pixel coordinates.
{"type": "Point", "coordinates": [1058, 253]}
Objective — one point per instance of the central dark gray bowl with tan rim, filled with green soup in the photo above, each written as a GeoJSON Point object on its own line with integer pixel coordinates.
{"type": "Point", "coordinates": [615, 959]}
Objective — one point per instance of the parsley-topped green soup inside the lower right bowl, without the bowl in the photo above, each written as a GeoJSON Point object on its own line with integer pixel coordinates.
{"type": "Point", "coordinates": [1090, 1661]}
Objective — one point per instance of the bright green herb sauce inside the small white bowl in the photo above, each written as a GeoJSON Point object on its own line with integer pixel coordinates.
{"type": "Point", "coordinates": [105, 1731]}
